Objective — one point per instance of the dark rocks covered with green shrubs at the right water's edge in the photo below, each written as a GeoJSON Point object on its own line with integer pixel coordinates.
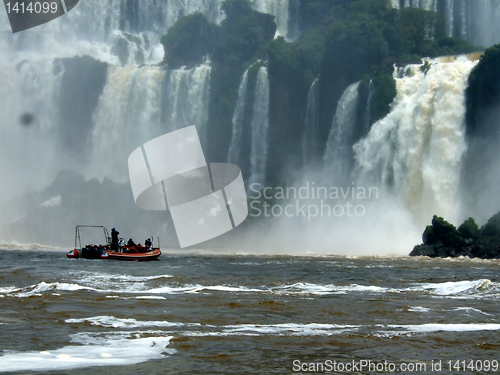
{"type": "Point", "coordinates": [442, 239]}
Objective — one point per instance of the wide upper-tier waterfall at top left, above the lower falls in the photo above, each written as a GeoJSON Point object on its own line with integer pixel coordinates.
{"type": "Point", "coordinates": [114, 31]}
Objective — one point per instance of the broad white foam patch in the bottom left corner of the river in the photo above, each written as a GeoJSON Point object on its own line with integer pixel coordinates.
{"type": "Point", "coordinates": [108, 351]}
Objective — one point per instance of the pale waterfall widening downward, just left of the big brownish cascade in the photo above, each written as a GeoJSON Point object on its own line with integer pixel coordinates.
{"type": "Point", "coordinates": [338, 153]}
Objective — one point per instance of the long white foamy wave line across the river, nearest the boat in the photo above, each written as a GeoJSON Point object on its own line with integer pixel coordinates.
{"type": "Point", "coordinates": [125, 286]}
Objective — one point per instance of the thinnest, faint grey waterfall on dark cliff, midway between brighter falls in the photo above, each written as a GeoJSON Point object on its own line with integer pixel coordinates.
{"type": "Point", "coordinates": [310, 140]}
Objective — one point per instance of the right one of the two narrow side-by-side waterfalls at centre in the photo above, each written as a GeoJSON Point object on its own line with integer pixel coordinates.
{"type": "Point", "coordinates": [260, 125]}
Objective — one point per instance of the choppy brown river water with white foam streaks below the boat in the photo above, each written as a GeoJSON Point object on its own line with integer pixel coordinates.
{"type": "Point", "coordinates": [200, 314]}
